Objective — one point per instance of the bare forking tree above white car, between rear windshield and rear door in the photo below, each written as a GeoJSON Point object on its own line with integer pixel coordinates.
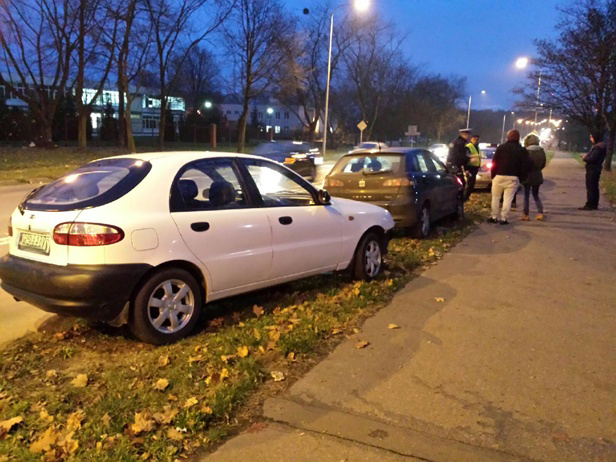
{"type": "Point", "coordinates": [174, 34]}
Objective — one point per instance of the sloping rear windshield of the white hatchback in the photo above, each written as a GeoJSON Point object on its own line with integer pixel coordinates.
{"type": "Point", "coordinates": [92, 185]}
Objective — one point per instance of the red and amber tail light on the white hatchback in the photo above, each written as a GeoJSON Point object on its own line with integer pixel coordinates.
{"type": "Point", "coordinates": [86, 234]}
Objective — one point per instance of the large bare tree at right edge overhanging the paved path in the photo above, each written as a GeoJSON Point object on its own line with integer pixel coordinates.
{"type": "Point", "coordinates": [577, 69]}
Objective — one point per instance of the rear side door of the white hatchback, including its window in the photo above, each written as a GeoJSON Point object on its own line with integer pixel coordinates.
{"type": "Point", "coordinates": [220, 224]}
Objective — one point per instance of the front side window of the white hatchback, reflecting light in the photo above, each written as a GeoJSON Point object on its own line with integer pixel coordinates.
{"type": "Point", "coordinates": [277, 187]}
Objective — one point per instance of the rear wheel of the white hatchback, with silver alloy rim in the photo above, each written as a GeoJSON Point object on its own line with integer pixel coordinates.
{"type": "Point", "coordinates": [157, 315]}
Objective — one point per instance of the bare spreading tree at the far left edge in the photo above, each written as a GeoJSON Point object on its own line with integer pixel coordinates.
{"type": "Point", "coordinates": [38, 40]}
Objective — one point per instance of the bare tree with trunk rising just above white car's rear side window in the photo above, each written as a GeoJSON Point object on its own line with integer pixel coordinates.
{"type": "Point", "coordinates": [258, 36]}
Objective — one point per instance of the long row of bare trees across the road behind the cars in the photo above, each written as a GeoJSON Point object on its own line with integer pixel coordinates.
{"type": "Point", "coordinates": [264, 49]}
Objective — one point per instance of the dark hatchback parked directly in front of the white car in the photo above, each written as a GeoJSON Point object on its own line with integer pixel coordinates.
{"type": "Point", "coordinates": [412, 184]}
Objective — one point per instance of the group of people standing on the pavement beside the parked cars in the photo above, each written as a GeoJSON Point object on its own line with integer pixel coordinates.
{"type": "Point", "coordinates": [514, 165]}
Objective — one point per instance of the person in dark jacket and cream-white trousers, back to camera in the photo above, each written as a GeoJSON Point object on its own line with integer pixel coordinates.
{"type": "Point", "coordinates": [510, 164]}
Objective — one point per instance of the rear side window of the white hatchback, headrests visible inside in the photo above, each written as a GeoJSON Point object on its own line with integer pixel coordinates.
{"type": "Point", "coordinates": [209, 184]}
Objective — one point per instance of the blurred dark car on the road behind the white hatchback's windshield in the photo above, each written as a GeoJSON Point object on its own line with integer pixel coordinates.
{"type": "Point", "coordinates": [300, 156]}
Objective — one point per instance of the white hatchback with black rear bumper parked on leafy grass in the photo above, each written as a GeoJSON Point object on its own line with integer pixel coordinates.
{"type": "Point", "coordinates": [147, 239]}
